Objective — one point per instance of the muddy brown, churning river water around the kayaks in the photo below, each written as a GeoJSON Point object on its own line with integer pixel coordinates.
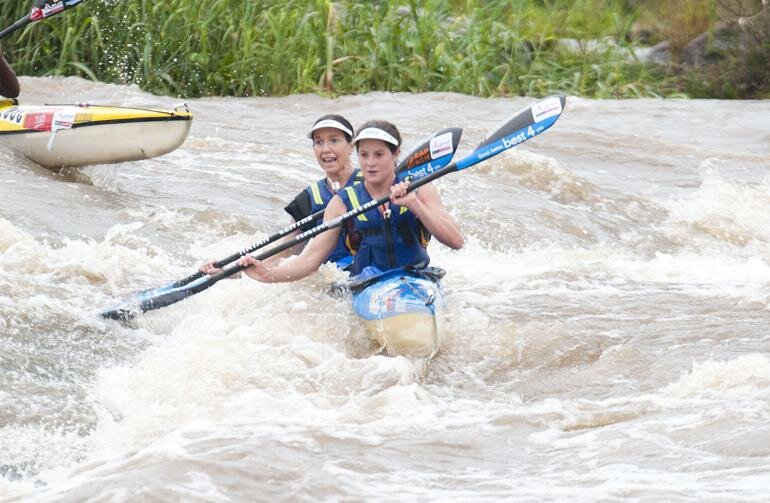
{"type": "Point", "coordinates": [607, 327]}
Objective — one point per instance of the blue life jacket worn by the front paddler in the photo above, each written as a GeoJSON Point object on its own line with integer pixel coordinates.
{"type": "Point", "coordinates": [394, 240]}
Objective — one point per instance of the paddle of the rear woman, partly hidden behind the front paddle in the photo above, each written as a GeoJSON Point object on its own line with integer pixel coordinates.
{"type": "Point", "coordinates": [442, 145]}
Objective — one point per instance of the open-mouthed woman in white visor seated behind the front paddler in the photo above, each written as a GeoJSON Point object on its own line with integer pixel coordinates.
{"type": "Point", "coordinates": [332, 137]}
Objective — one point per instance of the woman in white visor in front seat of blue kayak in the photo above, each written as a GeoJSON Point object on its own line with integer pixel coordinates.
{"type": "Point", "coordinates": [392, 235]}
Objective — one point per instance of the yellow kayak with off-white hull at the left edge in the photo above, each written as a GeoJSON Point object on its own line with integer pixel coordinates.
{"type": "Point", "coordinates": [56, 136]}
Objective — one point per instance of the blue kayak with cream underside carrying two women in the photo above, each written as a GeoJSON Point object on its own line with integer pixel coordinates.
{"type": "Point", "coordinates": [401, 308]}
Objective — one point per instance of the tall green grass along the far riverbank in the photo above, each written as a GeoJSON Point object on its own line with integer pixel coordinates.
{"type": "Point", "coordinates": [254, 47]}
